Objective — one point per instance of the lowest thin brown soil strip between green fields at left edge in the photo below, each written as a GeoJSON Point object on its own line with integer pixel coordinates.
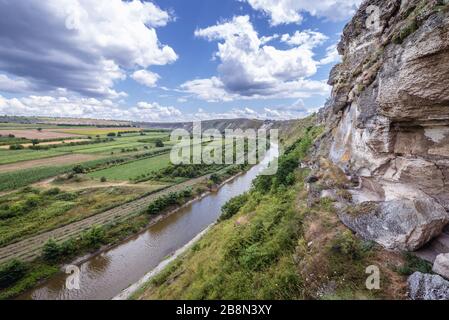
{"type": "Point", "coordinates": [48, 162]}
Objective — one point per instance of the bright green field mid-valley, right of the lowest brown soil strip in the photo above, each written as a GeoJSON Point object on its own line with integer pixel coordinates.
{"type": "Point", "coordinates": [133, 170]}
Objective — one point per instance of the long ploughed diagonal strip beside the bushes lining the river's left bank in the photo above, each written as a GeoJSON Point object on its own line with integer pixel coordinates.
{"type": "Point", "coordinates": [30, 248]}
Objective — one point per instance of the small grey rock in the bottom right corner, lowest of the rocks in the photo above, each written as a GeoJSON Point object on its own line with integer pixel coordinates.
{"type": "Point", "coordinates": [428, 287]}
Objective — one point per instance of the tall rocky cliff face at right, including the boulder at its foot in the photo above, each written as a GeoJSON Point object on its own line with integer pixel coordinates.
{"type": "Point", "coordinates": [388, 121]}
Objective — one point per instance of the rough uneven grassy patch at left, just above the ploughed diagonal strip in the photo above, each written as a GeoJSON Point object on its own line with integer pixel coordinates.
{"type": "Point", "coordinates": [29, 212]}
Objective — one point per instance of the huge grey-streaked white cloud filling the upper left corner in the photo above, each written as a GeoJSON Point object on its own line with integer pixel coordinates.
{"type": "Point", "coordinates": [81, 45]}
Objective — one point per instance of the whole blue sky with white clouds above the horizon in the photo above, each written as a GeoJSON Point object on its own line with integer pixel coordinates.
{"type": "Point", "coordinates": [168, 60]}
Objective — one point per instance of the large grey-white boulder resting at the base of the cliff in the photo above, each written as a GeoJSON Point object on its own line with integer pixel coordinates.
{"type": "Point", "coordinates": [398, 224]}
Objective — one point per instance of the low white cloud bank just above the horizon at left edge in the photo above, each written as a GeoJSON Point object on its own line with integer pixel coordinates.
{"type": "Point", "coordinates": [50, 106]}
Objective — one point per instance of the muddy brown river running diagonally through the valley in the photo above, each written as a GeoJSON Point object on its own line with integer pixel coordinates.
{"type": "Point", "coordinates": [108, 274]}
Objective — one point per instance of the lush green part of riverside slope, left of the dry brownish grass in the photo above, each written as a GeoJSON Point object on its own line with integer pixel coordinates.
{"type": "Point", "coordinates": [249, 261]}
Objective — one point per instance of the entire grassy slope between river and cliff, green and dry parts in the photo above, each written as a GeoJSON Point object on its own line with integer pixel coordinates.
{"type": "Point", "coordinates": [278, 248]}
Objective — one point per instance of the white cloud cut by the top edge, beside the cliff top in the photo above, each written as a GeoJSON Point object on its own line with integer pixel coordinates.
{"type": "Point", "coordinates": [291, 11]}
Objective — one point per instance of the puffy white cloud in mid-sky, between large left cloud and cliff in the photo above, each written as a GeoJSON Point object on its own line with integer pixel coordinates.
{"type": "Point", "coordinates": [251, 69]}
